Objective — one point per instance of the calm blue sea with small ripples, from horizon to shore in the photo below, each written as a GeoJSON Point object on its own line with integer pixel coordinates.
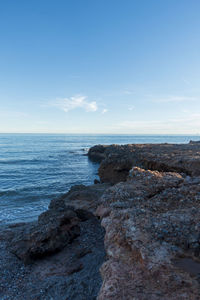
{"type": "Point", "coordinates": [35, 168]}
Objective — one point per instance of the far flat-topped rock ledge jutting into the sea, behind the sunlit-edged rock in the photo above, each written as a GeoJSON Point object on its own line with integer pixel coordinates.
{"type": "Point", "coordinates": [116, 161]}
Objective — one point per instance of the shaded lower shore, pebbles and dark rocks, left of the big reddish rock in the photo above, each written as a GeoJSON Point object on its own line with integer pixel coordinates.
{"type": "Point", "coordinates": [62, 251]}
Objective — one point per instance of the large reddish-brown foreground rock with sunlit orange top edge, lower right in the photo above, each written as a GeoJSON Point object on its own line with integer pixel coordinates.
{"type": "Point", "coordinates": [152, 240]}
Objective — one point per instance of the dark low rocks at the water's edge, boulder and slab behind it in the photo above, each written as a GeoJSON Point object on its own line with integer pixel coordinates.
{"type": "Point", "coordinates": [59, 225]}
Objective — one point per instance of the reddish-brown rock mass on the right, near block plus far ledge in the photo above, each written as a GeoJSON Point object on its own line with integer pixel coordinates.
{"type": "Point", "coordinates": [152, 221]}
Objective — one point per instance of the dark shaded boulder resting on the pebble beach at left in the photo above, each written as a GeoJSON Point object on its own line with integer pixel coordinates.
{"type": "Point", "coordinates": [53, 231]}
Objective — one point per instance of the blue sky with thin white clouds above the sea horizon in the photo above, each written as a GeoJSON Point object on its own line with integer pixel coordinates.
{"type": "Point", "coordinates": [100, 66]}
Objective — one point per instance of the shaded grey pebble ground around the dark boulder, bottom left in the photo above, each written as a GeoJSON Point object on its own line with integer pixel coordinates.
{"type": "Point", "coordinates": [70, 274]}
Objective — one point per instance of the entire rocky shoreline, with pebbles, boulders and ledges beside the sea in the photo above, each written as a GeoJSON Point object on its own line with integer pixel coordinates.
{"type": "Point", "coordinates": [147, 245]}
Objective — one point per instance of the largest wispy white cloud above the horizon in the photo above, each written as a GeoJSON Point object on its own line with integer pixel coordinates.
{"type": "Point", "coordinates": [67, 104]}
